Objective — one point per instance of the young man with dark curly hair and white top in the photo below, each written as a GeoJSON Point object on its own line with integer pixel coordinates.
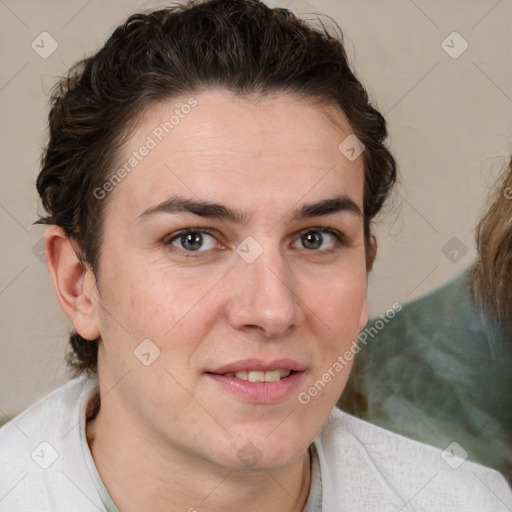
{"type": "Point", "coordinates": [210, 181]}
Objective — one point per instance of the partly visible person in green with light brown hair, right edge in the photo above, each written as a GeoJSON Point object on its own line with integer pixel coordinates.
{"type": "Point", "coordinates": [440, 370]}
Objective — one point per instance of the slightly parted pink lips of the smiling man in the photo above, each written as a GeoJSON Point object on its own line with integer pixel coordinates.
{"type": "Point", "coordinates": [260, 392]}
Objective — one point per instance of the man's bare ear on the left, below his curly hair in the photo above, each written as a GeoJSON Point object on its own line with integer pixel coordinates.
{"type": "Point", "coordinates": [74, 283]}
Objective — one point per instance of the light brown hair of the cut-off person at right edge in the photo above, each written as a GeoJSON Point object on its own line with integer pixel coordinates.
{"type": "Point", "coordinates": [491, 276]}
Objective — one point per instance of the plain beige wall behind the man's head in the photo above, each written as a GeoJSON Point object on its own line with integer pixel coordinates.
{"type": "Point", "coordinates": [450, 121]}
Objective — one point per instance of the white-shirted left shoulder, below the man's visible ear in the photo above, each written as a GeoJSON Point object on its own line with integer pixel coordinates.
{"type": "Point", "coordinates": [42, 465]}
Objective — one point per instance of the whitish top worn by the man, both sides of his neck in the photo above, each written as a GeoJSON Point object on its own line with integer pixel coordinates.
{"type": "Point", "coordinates": [46, 465]}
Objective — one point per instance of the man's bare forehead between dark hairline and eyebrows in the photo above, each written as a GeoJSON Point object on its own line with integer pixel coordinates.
{"type": "Point", "coordinates": [253, 153]}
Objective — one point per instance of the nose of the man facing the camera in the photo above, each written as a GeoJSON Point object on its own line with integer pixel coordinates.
{"type": "Point", "coordinates": [263, 296]}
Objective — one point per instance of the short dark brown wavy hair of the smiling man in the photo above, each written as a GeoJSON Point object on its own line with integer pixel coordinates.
{"type": "Point", "coordinates": [241, 46]}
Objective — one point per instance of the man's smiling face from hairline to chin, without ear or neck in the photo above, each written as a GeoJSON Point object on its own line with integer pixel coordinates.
{"type": "Point", "coordinates": [235, 248]}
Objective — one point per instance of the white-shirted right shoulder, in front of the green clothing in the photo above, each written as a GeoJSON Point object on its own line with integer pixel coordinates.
{"type": "Point", "coordinates": [381, 469]}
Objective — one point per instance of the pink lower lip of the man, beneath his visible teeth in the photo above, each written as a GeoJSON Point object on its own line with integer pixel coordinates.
{"type": "Point", "coordinates": [260, 392]}
